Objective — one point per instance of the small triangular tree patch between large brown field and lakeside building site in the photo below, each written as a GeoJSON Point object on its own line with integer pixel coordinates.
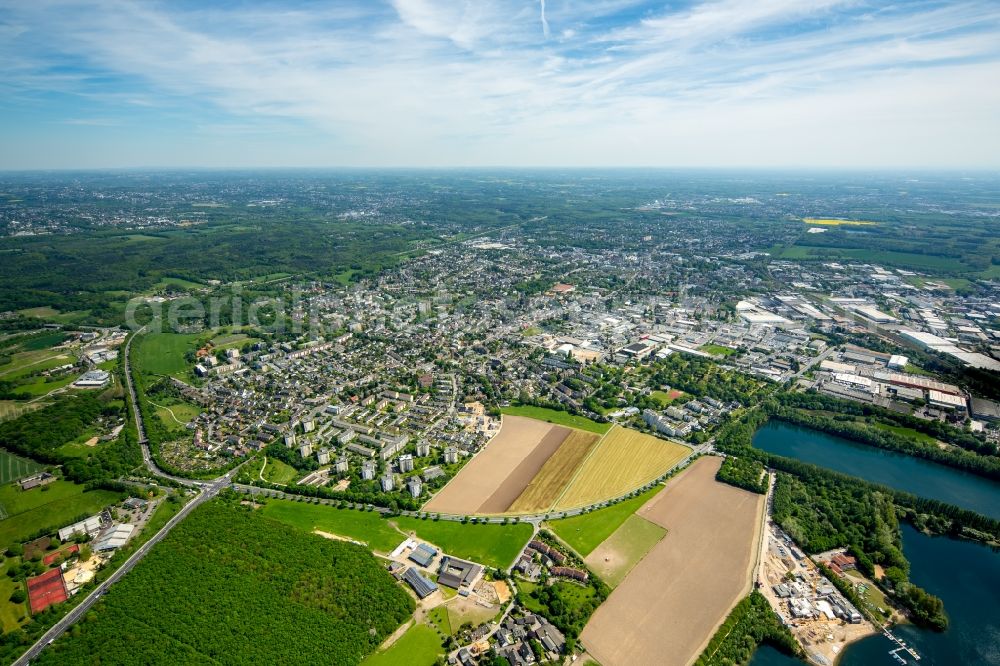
{"type": "Point", "coordinates": [751, 623]}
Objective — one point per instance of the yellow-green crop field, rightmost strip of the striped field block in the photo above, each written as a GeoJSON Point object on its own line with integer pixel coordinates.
{"type": "Point", "coordinates": [622, 461]}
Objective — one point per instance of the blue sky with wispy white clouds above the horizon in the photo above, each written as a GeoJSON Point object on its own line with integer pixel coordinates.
{"type": "Point", "coordinates": [762, 83]}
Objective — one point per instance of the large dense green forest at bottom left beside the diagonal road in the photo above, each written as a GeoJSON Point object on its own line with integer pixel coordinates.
{"type": "Point", "coordinates": [230, 586]}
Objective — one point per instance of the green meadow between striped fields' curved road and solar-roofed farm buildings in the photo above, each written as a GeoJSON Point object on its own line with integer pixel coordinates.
{"type": "Point", "coordinates": [493, 545]}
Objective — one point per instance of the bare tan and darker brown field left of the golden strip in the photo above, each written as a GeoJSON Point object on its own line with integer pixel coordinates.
{"type": "Point", "coordinates": [499, 473]}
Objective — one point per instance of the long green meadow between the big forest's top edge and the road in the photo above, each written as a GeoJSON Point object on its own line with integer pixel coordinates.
{"type": "Point", "coordinates": [366, 526]}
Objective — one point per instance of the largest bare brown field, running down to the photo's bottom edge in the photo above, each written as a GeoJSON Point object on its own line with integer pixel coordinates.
{"type": "Point", "coordinates": [671, 603]}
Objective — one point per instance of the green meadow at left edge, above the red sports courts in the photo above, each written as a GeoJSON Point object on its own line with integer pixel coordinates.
{"type": "Point", "coordinates": [51, 507]}
